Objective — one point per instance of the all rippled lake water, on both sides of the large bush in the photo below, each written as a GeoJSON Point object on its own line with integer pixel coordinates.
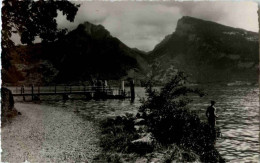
{"type": "Point", "coordinates": [237, 108]}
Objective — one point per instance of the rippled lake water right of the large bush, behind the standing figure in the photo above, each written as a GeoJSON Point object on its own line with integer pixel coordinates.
{"type": "Point", "coordinates": [238, 111]}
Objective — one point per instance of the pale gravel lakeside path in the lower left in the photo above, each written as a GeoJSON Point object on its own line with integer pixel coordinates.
{"type": "Point", "coordinates": [48, 134]}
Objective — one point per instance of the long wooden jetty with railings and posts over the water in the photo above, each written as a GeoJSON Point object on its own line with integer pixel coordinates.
{"type": "Point", "coordinates": [90, 92]}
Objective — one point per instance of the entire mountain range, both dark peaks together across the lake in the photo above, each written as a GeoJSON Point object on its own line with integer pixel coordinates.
{"type": "Point", "coordinates": [207, 51]}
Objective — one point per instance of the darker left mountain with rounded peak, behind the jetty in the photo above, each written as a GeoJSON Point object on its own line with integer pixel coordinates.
{"type": "Point", "coordinates": [86, 53]}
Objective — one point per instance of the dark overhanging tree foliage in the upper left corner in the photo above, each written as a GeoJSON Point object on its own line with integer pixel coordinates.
{"type": "Point", "coordinates": [33, 18]}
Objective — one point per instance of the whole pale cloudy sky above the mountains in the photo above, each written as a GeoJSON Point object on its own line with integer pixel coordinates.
{"type": "Point", "coordinates": [142, 25]}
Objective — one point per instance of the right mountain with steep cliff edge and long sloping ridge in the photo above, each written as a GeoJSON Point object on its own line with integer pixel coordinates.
{"type": "Point", "coordinates": [208, 52]}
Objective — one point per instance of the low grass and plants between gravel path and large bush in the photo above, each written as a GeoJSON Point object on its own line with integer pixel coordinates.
{"type": "Point", "coordinates": [116, 139]}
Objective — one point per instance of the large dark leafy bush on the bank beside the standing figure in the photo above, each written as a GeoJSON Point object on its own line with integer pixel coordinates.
{"type": "Point", "coordinates": [170, 121]}
